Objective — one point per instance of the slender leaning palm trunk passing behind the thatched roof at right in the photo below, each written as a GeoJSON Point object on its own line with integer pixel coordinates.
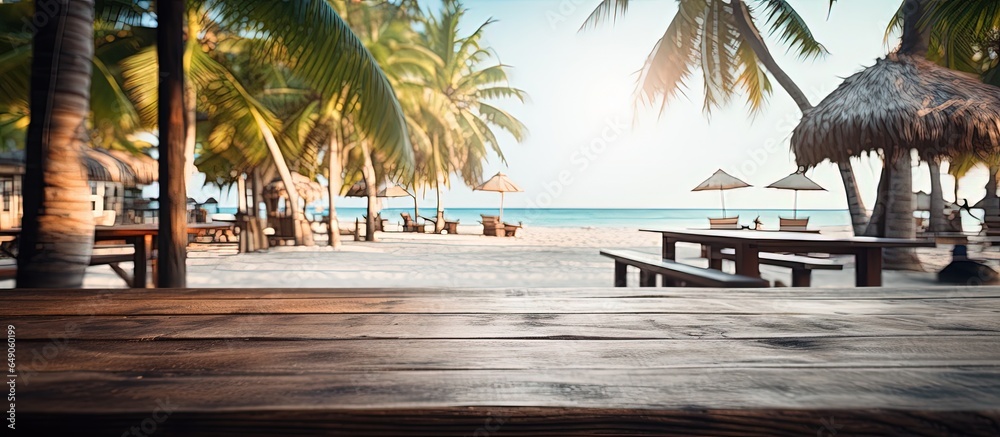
{"type": "Point", "coordinates": [743, 21]}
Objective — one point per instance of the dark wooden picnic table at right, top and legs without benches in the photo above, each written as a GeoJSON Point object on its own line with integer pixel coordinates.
{"type": "Point", "coordinates": [748, 244]}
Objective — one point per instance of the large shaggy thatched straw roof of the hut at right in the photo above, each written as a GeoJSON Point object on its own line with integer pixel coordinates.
{"type": "Point", "coordinates": [903, 101]}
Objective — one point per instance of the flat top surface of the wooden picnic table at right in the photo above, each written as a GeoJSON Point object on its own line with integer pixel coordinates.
{"type": "Point", "coordinates": [786, 239]}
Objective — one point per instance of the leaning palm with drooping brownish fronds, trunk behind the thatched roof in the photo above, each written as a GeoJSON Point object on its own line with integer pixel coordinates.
{"type": "Point", "coordinates": [723, 40]}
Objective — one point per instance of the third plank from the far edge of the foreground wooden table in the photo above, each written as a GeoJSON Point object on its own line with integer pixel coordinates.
{"type": "Point", "coordinates": [496, 326]}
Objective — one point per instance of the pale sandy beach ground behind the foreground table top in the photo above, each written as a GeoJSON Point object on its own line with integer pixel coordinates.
{"type": "Point", "coordinates": [538, 257]}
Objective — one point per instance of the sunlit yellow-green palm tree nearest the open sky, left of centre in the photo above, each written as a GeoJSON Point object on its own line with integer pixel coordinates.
{"type": "Point", "coordinates": [456, 99]}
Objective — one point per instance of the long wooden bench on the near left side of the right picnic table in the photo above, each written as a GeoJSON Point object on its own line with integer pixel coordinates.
{"type": "Point", "coordinates": [674, 273]}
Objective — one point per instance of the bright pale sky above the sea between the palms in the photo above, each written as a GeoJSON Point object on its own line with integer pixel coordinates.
{"type": "Point", "coordinates": [584, 151]}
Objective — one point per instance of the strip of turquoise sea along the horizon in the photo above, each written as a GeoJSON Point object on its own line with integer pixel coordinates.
{"type": "Point", "coordinates": [608, 218]}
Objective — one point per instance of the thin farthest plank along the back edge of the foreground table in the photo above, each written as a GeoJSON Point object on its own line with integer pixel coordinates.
{"type": "Point", "coordinates": [296, 293]}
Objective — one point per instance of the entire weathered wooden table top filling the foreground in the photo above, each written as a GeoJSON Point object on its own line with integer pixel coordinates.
{"type": "Point", "coordinates": [509, 362]}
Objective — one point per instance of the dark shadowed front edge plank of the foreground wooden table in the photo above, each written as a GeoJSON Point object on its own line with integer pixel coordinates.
{"type": "Point", "coordinates": [503, 421]}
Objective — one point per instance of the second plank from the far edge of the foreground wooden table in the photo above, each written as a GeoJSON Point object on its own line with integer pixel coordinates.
{"type": "Point", "coordinates": [72, 305]}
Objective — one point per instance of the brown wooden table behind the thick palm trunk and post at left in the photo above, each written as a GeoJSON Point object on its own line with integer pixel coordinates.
{"type": "Point", "coordinates": [141, 237]}
